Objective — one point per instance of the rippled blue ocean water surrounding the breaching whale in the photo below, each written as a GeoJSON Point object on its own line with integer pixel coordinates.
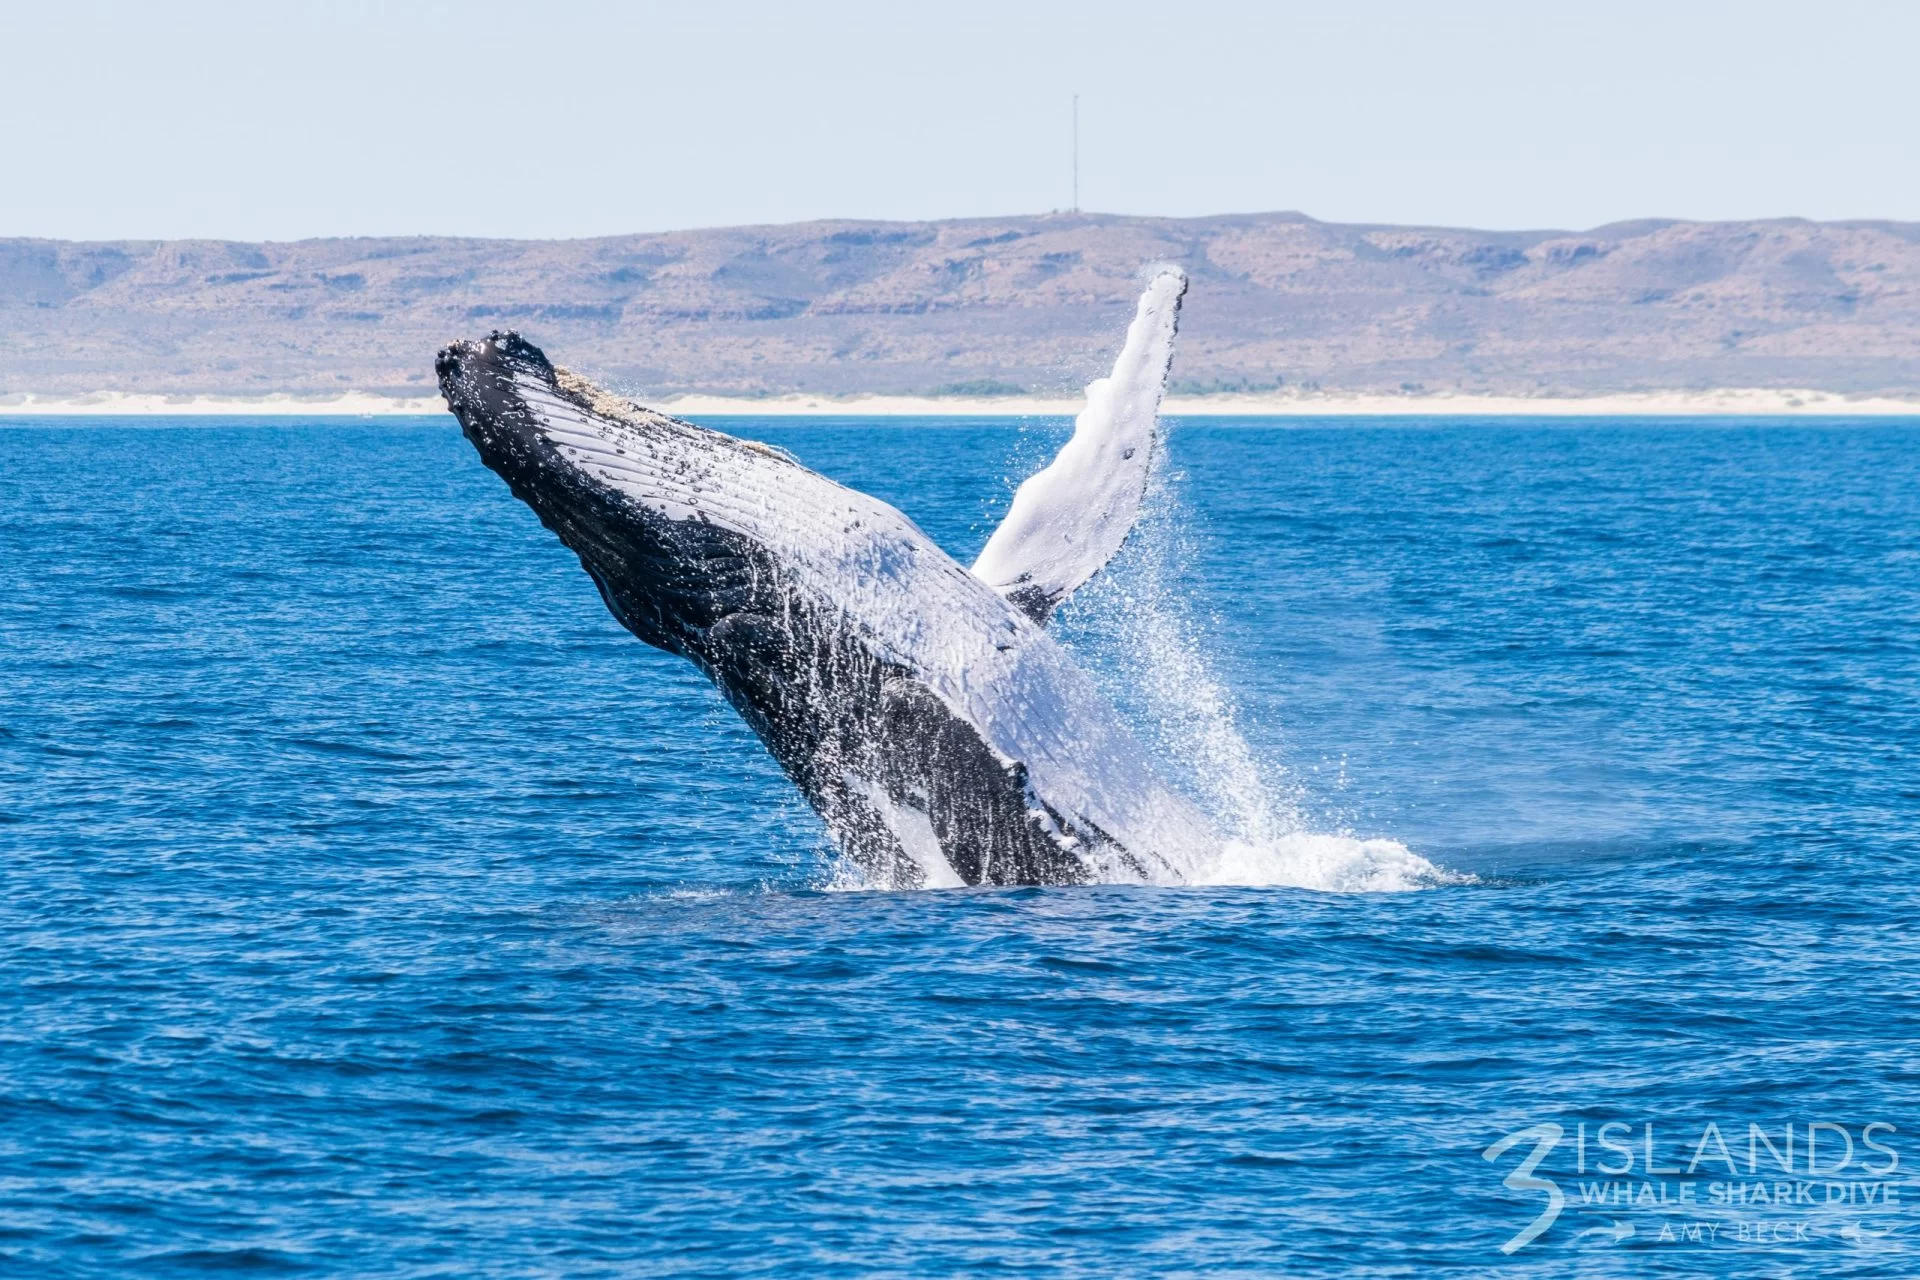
{"type": "Point", "coordinates": [372, 905]}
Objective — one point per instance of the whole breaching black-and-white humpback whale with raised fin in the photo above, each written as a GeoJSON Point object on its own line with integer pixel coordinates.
{"type": "Point", "coordinates": [921, 707]}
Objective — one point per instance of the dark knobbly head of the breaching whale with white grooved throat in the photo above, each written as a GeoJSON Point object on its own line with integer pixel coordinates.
{"type": "Point", "coordinates": [648, 502]}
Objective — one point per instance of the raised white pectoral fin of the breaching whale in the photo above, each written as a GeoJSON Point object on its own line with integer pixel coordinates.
{"type": "Point", "coordinates": [1074, 515]}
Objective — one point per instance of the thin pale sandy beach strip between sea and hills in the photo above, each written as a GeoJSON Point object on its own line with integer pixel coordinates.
{"type": "Point", "coordinates": [1725, 402]}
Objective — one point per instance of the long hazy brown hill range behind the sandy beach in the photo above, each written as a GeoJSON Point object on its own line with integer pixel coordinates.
{"type": "Point", "coordinates": [988, 306]}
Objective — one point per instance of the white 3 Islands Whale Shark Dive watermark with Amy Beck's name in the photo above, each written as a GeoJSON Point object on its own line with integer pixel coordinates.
{"type": "Point", "coordinates": [1748, 1183]}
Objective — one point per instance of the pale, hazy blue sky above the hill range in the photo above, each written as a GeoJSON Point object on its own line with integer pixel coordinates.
{"type": "Point", "coordinates": [583, 118]}
